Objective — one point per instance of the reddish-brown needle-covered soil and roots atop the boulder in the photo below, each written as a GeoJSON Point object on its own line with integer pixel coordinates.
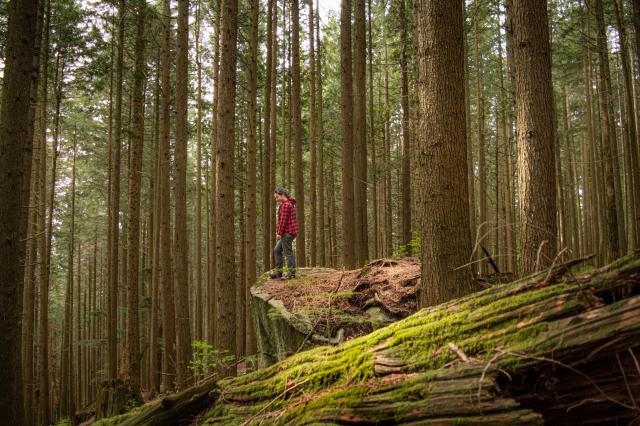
{"type": "Point", "coordinates": [346, 299]}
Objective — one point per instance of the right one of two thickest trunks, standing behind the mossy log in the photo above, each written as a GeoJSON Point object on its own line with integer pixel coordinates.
{"type": "Point", "coordinates": [536, 134]}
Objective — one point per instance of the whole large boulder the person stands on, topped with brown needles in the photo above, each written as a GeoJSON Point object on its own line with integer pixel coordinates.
{"type": "Point", "coordinates": [323, 306]}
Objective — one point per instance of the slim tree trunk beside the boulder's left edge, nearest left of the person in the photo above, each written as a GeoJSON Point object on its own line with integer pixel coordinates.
{"type": "Point", "coordinates": [250, 215]}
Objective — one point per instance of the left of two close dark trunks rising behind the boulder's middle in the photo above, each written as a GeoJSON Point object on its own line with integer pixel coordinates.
{"type": "Point", "coordinates": [348, 217]}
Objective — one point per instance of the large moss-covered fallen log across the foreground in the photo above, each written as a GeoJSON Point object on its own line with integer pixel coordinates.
{"type": "Point", "coordinates": [557, 348]}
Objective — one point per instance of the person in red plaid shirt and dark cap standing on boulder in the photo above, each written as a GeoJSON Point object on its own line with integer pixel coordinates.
{"type": "Point", "coordinates": [286, 231]}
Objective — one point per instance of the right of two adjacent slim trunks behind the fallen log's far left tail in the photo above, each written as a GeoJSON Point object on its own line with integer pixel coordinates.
{"type": "Point", "coordinates": [180, 210]}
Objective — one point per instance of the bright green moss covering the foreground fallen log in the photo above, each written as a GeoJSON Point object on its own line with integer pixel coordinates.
{"type": "Point", "coordinates": [515, 317]}
